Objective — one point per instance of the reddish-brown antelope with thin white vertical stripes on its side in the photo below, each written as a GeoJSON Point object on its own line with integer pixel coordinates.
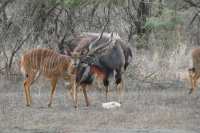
{"type": "Point", "coordinates": [51, 65]}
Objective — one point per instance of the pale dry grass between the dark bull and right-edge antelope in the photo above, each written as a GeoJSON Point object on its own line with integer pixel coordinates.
{"type": "Point", "coordinates": [158, 63]}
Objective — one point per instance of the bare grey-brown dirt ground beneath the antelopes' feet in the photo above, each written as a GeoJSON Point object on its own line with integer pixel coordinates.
{"type": "Point", "coordinates": [148, 107]}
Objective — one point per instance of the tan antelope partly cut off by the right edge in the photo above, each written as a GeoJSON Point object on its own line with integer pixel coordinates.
{"type": "Point", "coordinates": [194, 72]}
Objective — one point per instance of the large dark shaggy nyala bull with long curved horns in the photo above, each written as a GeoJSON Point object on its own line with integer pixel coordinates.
{"type": "Point", "coordinates": [101, 57]}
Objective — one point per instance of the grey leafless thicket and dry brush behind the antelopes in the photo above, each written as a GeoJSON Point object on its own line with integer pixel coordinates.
{"type": "Point", "coordinates": [161, 32]}
